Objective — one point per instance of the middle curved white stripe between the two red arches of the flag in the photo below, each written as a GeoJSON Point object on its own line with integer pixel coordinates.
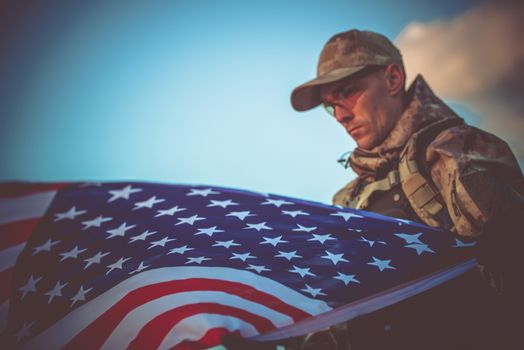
{"type": "Point", "coordinates": [138, 318]}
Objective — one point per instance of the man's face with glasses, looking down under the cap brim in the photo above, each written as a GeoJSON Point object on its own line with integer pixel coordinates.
{"type": "Point", "coordinates": [364, 107]}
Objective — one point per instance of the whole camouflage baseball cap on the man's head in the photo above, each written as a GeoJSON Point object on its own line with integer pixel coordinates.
{"type": "Point", "coordinates": [343, 55]}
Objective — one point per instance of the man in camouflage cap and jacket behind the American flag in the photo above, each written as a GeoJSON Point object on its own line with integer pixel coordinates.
{"type": "Point", "coordinates": [416, 159]}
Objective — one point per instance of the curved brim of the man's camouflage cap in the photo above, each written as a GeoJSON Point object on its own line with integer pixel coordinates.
{"type": "Point", "coordinates": [307, 95]}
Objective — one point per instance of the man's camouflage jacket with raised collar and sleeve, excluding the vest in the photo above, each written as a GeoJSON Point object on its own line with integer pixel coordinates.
{"type": "Point", "coordinates": [475, 172]}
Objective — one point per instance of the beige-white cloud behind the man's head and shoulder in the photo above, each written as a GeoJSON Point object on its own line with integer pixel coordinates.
{"type": "Point", "coordinates": [476, 58]}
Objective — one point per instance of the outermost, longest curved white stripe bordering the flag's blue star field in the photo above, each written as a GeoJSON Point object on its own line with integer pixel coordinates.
{"type": "Point", "coordinates": [58, 335]}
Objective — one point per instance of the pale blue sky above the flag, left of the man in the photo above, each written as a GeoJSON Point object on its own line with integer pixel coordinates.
{"type": "Point", "coordinates": [180, 91]}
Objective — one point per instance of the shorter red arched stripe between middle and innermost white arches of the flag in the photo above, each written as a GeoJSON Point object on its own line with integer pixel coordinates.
{"type": "Point", "coordinates": [154, 332]}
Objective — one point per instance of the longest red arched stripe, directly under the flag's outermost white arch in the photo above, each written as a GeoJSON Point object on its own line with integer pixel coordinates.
{"type": "Point", "coordinates": [95, 334]}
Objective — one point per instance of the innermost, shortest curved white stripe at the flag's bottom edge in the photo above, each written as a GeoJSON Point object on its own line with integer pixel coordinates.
{"type": "Point", "coordinates": [194, 328]}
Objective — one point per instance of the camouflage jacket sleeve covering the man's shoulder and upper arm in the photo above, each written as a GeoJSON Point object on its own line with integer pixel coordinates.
{"type": "Point", "coordinates": [477, 175]}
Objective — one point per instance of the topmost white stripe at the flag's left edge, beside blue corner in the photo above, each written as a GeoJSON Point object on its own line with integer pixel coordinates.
{"type": "Point", "coordinates": [25, 207]}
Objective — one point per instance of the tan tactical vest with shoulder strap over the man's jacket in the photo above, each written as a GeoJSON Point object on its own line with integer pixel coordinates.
{"type": "Point", "coordinates": [407, 192]}
